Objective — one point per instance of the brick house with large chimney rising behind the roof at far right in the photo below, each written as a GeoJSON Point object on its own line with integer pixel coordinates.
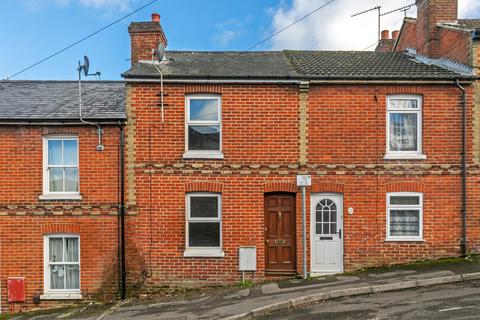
{"type": "Point", "coordinates": [439, 37]}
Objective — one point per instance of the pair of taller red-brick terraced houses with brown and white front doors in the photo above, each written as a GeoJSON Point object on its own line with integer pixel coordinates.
{"type": "Point", "coordinates": [214, 150]}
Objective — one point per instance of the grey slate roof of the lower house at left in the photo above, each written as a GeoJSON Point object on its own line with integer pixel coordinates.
{"type": "Point", "coordinates": [58, 100]}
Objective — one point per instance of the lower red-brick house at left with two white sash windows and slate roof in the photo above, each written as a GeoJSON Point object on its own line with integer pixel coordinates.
{"type": "Point", "coordinates": [59, 196]}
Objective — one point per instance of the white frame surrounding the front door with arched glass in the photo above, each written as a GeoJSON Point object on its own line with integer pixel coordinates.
{"type": "Point", "coordinates": [314, 198]}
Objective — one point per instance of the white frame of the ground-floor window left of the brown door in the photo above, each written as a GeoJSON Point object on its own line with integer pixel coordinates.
{"type": "Point", "coordinates": [203, 251]}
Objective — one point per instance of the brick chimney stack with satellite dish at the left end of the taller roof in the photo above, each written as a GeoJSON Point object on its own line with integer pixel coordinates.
{"type": "Point", "coordinates": [145, 37]}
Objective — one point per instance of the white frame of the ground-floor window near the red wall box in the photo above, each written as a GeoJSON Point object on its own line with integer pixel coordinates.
{"type": "Point", "coordinates": [59, 294]}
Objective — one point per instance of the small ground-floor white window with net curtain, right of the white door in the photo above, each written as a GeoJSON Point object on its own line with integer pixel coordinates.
{"type": "Point", "coordinates": [404, 216]}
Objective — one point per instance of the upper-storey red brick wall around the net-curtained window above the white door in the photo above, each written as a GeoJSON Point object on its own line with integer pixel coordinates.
{"type": "Point", "coordinates": [342, 117]}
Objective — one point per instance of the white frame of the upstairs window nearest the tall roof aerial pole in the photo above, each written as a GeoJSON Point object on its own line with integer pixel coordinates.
{"type": "Point", "coordinates": [203, 154]}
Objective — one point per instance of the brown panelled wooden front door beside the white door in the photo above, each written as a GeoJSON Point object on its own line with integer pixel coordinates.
{"type": "Point", "coordinates": [280, 247]}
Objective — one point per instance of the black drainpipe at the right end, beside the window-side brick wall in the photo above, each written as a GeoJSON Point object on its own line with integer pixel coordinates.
{"type": "Point", "coordinates": [463, 243]}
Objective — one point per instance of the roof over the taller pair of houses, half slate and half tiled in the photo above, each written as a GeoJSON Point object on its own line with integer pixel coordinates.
{"type": "Point", "coordinates": [291, 65]}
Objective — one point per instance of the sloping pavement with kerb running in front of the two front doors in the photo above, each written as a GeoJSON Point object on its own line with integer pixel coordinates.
{"type": "Point", "coordinates": [259, 301]}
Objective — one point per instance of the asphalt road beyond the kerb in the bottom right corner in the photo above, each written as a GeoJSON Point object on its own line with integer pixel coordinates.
{"type": "Point", "coordinates": [453, 301]}
